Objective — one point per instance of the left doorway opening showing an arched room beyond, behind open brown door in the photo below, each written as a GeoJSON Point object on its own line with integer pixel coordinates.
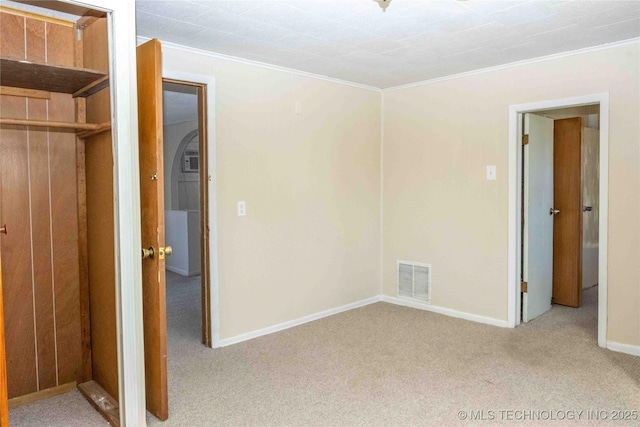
{"type": "Point", "coordinates": [186, 209]}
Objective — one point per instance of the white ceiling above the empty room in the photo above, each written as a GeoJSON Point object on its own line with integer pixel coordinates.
{"type": "Point", "coordinates": [412, 41]}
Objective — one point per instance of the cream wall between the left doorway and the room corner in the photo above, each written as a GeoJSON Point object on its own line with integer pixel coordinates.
{"type": "Point", "coordinates": [310, 240]}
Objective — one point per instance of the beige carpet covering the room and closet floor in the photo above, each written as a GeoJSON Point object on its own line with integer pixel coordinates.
{"type": "Point", "coordinates": [384, 365]}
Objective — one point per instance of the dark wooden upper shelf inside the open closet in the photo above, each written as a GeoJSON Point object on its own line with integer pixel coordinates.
{"type": "Point", "coordinates": [52, 78]}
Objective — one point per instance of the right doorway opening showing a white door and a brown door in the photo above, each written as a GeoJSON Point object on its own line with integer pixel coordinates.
{"type": "Point", "coordinates": [560, 207]}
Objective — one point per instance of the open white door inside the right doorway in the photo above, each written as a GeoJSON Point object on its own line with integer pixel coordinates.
{"type": "Point", "coordinates": [537, 255]}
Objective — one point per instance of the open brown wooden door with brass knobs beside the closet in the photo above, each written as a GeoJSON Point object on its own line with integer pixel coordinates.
{"type": "Point", "coordinates": [149, 64]}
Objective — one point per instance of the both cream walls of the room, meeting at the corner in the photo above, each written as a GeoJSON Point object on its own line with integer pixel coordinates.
{"type": "Point", "coordinates": [311, 236]}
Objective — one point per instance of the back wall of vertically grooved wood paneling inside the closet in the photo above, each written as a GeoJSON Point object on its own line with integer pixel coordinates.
{"type": "Point", "coordinates": [39, 202]}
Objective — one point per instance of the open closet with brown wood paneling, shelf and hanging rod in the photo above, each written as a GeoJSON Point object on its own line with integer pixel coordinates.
{"type": "Point", "coordinates": [57, 203]}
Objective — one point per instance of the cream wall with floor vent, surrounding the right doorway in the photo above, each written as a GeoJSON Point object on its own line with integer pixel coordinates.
{"type": "Point", "coordinates": [439, 209]}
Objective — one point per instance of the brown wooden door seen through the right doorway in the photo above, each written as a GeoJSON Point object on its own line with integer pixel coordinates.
{"type": "Point", "coordinates": [567, 227]}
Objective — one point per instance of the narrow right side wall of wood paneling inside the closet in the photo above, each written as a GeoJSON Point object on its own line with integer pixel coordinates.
{"type": "Point", "coordinates": [100, 219]}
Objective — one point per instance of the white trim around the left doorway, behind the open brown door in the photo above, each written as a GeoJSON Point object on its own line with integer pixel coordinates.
{"type": "Point", "coordinates": [214, 304]}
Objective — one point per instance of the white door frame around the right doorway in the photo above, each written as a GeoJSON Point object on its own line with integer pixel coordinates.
{"type": "Point", "coordinates": [514, 268]}
